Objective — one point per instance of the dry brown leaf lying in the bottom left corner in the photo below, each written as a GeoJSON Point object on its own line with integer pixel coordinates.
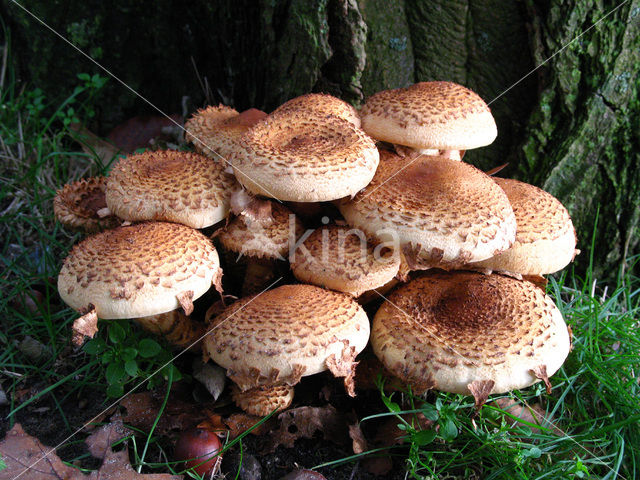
{"type": "Point", "coordinates": [20, 452]}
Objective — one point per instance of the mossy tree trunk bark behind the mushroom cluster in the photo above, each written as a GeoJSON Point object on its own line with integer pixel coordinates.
{"type": "Point", "coordinates": [570, 127]}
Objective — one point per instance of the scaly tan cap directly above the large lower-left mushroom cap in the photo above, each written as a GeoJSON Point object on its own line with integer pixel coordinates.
{"type": "Point", "coordinates": [169, 185]}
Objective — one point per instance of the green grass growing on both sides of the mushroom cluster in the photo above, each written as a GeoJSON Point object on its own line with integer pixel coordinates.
{"type": "Point", "coordinates": [590, 426]}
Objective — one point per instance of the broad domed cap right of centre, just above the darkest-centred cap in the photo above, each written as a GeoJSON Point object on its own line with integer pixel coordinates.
{"type": "Point", "coordinates": [445, 213]}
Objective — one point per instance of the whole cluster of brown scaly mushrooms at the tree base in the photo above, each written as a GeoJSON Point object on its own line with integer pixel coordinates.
{"type": "Point", "coordinates": [380, 196]}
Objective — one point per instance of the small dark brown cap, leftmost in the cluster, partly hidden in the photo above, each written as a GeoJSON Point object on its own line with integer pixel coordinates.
{"type": "Point", "coordinates": [78, 205]}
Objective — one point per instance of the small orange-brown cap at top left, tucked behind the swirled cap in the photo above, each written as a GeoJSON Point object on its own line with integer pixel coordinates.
{"type": "Point", "coordinates": [214, 131]}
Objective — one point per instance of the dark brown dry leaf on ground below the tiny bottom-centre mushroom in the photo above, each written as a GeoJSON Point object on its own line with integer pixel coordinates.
{"type": "Point", "coordinates": [304, 422]}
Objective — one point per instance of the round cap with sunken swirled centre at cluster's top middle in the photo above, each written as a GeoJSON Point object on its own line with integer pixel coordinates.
{"type": "Point", "coordinates": [299, 157]}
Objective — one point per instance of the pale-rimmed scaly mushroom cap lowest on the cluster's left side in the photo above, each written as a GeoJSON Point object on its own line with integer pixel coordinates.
{"type": "Point", "coordinates": [138, 270]}
